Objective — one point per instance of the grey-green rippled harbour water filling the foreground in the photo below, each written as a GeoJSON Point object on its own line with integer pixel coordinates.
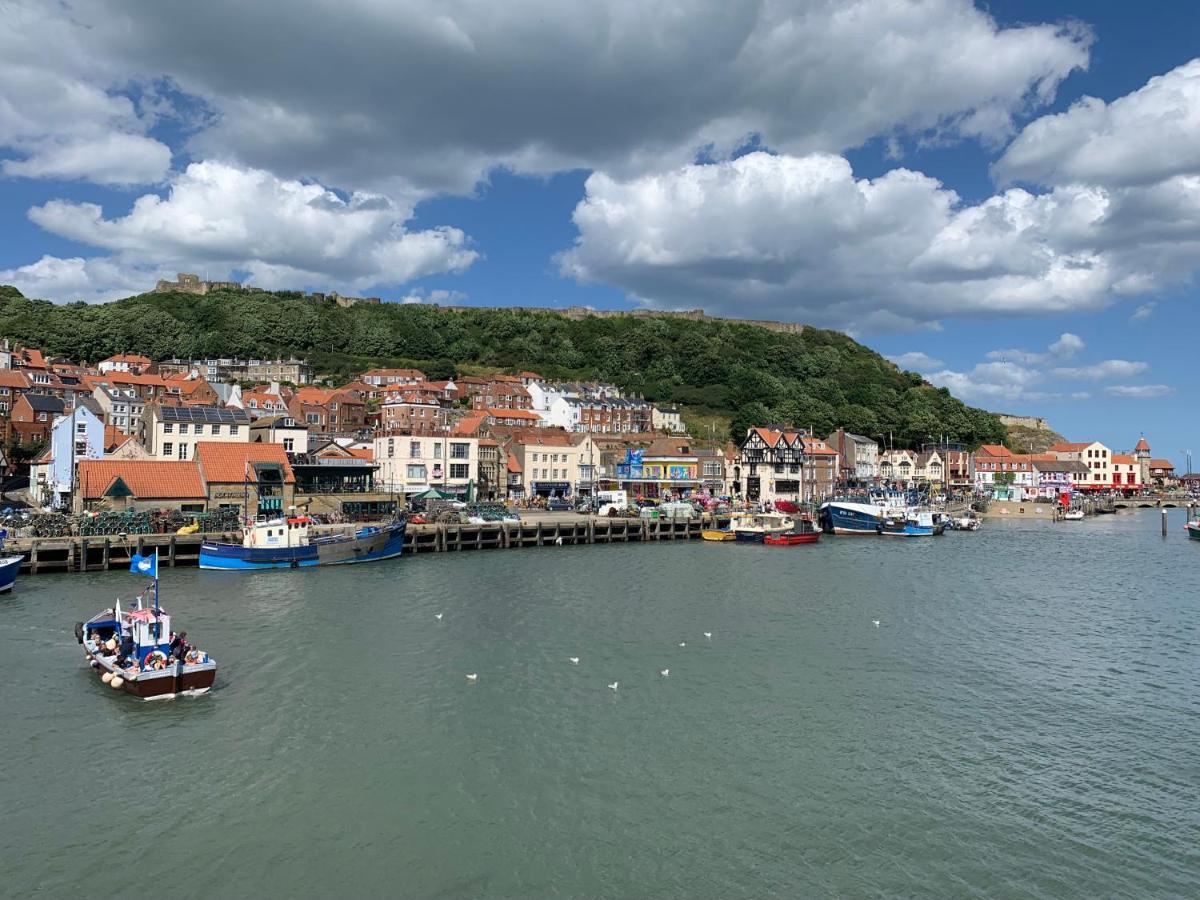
{"type": "Point", "coordinates": [1023, 723]}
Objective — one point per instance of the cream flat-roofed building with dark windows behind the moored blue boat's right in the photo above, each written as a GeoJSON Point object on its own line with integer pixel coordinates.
{"type": "Point", "coordinates": [412, 464]}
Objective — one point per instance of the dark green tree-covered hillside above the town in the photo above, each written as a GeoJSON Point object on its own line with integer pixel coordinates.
{"type": "Point", "coordinates": [725, 370]}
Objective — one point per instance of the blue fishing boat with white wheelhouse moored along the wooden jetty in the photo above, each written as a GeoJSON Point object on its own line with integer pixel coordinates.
{"type": "Point", "coordinates": [287, 544]}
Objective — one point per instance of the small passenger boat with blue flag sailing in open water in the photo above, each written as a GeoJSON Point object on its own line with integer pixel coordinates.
{"type": "Point", "coordinates": [137, 651]}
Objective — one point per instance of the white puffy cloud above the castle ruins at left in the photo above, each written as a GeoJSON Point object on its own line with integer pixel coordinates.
{"type": "Point", "coordinates": [284, 233]}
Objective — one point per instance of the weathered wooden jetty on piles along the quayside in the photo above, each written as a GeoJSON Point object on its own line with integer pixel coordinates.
{"type": "Point", "coordinates": [100, 553]}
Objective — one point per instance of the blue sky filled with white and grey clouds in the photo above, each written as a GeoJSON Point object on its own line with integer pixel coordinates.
{"type": "Point", "coordinates": [1004, 197]}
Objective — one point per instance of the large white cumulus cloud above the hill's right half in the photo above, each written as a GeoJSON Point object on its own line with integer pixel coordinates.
{"type": "Point", "coordinates": [802, 239]}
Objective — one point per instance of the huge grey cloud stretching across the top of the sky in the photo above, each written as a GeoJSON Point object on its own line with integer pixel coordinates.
{"type": "Point", "coordinates": [613, 85]}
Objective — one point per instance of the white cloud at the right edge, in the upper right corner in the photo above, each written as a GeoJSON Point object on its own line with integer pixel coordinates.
{"type": "Point", "coordinates": [1142, 139]}
